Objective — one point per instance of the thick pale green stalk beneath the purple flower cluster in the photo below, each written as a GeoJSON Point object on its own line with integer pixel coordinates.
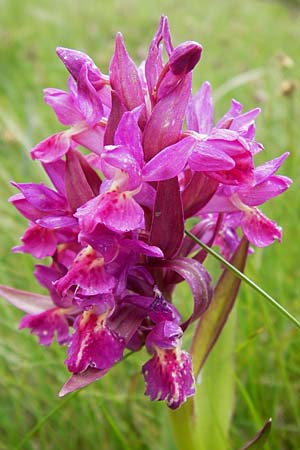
{"type": "Point", "coordinates": [202, 423]}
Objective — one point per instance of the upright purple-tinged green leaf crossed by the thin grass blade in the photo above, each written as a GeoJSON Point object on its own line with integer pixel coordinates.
{"type": "Point", "coordinates": [215, 317]}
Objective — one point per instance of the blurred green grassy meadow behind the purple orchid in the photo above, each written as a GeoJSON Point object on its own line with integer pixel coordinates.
{"type": "Point", "coordinates": [251, 52]}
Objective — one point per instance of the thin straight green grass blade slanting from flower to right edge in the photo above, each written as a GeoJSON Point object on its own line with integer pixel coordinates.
{"type": "Point", "coordinates": [247, 280]}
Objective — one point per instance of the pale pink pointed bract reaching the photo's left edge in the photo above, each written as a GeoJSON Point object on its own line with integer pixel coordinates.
{"type": "Point", "coordinates": [26, 301]}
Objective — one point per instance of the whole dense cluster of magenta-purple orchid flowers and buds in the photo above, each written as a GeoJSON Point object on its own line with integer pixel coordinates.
{"type": "Point", "coordinates": [113, 221]}
